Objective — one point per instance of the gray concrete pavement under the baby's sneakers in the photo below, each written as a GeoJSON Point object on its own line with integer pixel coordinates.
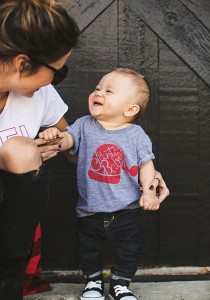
{"type": "Point", "coordinates": [175, 290]}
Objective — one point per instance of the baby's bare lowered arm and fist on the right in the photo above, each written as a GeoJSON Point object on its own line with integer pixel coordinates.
{"type": "Point", "coordinates": [148, 200]}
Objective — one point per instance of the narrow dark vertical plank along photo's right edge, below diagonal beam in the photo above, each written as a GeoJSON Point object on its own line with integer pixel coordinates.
{"type": "Point", "coordinates": [204, 176]}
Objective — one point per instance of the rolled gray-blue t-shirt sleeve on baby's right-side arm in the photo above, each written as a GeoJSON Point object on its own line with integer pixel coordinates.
{"type": "Point", "coordinates": [144, 148]}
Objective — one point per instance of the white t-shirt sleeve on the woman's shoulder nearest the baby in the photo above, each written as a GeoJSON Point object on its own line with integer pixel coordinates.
{"type": "Point", "coordinates": [55, 107]}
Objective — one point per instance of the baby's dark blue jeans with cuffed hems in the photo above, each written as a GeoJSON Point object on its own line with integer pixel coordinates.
{"type": "Point", "coordinates": [124, 228]}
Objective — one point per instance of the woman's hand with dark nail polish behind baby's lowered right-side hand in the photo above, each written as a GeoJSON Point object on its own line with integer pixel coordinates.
{"type": "Point", "coordinates": [159, 184]}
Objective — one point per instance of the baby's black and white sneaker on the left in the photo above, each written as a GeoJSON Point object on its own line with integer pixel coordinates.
{"type": "Point", "coordinates": [94, 289]}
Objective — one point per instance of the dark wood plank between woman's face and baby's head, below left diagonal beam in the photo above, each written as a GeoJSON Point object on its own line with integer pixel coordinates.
{"type": "Point", "coordinates": [95, 55]}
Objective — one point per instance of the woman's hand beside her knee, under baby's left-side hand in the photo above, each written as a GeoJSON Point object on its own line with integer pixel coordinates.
{"type": "Point", "coordinates": [48, 149]}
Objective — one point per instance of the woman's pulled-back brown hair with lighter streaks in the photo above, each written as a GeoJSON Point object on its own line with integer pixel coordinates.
{"type": "Point", "coordinates": [41, 29]}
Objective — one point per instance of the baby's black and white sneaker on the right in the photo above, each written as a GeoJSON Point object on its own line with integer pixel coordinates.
{"type": "Point", "coordinates": [118, 290]}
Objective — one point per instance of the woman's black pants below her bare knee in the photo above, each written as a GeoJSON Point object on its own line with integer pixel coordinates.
{"type": "Point", "coordinates": [22, 203]}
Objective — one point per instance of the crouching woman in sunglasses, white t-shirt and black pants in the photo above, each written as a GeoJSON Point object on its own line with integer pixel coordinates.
{"type": "Point", "coordinates": [36, 39]}
